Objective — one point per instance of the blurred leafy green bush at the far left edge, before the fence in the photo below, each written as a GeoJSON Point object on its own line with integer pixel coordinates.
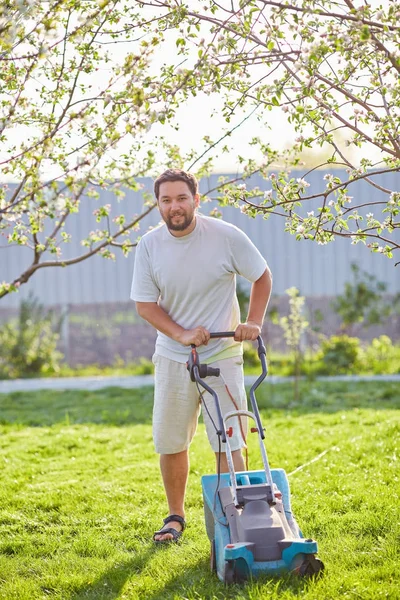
{"type": "Point", "coordinates": [28, 345]}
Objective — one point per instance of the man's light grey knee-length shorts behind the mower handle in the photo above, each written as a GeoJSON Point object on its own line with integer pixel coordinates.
{"type": "Point", "coordinates": [177, 404]}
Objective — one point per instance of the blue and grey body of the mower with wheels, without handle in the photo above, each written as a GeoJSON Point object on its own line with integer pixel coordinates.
{"type": "Point", "coordinates": [259, 536]}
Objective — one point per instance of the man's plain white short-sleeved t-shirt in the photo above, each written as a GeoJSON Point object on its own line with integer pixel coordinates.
{"type": "Point", "coordinates": [193, 278]}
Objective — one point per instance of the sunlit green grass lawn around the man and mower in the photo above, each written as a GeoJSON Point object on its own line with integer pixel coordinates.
{"type": "Point", "coordinates": [80, 495]}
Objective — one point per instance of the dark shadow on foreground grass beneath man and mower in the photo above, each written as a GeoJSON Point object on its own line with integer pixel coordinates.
{"type": "Point", "coordinates": [195, 582]}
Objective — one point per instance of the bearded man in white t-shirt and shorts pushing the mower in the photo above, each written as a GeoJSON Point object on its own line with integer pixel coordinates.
{"type": "Point", "coordinates": [184, 285]}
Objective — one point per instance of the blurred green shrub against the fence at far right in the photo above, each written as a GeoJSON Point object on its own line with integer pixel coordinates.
{"type": "Point", "coordinates": [362, 301]}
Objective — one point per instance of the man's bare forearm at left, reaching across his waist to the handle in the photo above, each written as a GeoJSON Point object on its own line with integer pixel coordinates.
{"type": "Point", "coordinates": [160, 320]}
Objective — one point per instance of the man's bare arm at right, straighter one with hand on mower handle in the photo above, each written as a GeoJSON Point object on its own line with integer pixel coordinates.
{"type": "Point", "coordinates": [259, 298]}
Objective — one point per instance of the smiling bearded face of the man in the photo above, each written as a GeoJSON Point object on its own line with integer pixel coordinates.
{"type": "Point", "coordinates": [177, 205]}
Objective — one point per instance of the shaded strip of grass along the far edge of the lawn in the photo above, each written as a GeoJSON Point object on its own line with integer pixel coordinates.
{"type": "Point", "coordinates": [119, 406]}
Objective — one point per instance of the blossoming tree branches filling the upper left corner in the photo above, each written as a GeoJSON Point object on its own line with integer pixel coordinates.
{"type": "Point", "coordinates": [74, 117]}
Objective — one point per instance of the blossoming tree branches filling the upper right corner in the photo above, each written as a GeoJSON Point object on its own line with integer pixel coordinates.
{"type": "Point", "coordinates": [328, 69]}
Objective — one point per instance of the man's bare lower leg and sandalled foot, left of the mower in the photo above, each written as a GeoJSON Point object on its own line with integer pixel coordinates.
{"type": "Point", "coordinates": [174, 471]}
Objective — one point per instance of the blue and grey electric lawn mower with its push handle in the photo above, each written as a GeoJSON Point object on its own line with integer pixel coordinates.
{"type": "Point", "coordinates": [248, 515]}
